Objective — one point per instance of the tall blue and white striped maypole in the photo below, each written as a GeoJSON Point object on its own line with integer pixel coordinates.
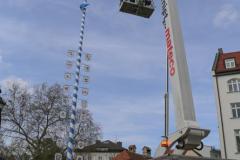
{"type": "Point", "coordinates": [71, 141]}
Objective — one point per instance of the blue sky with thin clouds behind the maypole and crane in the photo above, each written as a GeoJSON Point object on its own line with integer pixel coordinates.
{"type": "Point", "coordinates": [128, 66]}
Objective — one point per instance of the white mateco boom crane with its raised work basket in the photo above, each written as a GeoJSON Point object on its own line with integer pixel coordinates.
{"type": "Point", "coordinates": [188, 135]}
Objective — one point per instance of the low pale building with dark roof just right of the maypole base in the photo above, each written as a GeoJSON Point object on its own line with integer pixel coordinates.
{"type": "Point", "coordinates": [101, 150]}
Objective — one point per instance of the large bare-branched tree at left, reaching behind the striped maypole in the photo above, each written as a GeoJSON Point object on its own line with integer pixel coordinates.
{"type": "Point", "coordinates": [32, 118]}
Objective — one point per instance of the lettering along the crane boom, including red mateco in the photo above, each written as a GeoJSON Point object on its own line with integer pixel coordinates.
{"type": "Point", "coordinates": [171, 61]}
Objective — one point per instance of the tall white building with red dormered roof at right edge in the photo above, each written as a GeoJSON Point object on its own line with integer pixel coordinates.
{"type": "Point", "coordinates": [226, 77]}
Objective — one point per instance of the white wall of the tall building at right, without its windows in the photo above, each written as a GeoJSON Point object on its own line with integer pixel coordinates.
{"type": "Point", "coordinates": [229, 124]}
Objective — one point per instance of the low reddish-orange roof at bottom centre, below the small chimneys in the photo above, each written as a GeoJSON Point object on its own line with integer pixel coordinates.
{"type": "Point", "coordinates": [126, 155]}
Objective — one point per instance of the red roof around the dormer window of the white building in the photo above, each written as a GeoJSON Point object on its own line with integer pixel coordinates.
{"type": "Point", "coordinates": [219, 63]}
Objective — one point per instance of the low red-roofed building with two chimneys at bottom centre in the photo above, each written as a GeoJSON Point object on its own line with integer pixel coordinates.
{"type": "Point", "coordinates": [131, 154]}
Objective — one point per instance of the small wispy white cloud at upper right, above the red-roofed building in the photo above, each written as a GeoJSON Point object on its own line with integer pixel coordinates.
{"type": "Point", "coordinates": [227, 16]}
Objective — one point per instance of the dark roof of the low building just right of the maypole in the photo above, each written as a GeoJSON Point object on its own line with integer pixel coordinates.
{"type": "Point", "coordinates": [104, 146]}
